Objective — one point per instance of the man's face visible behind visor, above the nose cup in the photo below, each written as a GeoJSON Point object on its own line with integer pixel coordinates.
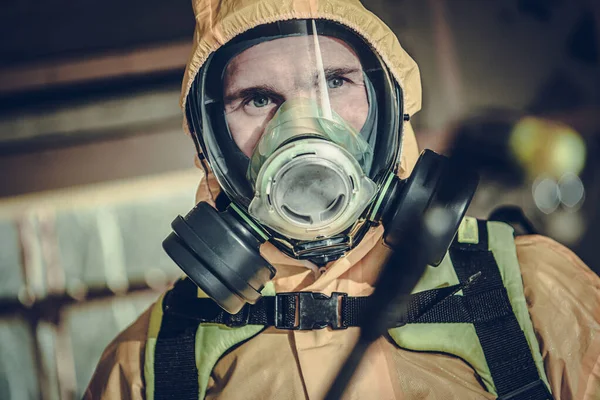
{"type": "Point", "coordinates": [261, 78]}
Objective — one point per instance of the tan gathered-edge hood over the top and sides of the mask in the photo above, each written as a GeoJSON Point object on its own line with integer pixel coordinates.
{"type": "Point", "coordinates": [218, 21]}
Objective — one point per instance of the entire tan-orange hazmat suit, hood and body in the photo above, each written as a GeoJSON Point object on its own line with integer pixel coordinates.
{"type": "Point", "coordinates": [563, 295]}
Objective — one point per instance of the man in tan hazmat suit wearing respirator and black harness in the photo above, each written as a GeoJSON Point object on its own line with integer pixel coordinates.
{"type": "Point", "coordinates": [298, 108]}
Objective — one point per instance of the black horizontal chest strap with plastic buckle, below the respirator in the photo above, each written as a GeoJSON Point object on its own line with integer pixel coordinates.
{"type": "Point", "coordinates": [309, 310]}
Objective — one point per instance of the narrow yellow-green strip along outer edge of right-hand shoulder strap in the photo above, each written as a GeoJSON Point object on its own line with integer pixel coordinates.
{"type": "Point", "coordinates": [502, 245]}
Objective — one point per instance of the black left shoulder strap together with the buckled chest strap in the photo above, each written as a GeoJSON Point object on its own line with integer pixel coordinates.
{"type": "Point", "coordinates": [175, 372]}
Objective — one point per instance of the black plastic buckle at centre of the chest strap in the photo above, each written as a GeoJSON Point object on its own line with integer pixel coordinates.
{"type": "Point", "coordinates": [310, 310]}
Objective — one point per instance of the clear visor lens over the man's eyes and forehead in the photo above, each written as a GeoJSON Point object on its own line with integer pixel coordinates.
{"type": "Point", "coordinates": [301, 85]}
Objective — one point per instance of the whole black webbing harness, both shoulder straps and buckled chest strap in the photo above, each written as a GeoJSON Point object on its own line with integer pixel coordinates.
{"type": "Point", "coordinates": [485, 304]}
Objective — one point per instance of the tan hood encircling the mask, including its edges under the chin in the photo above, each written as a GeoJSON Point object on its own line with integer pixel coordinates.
{"type": "Point", "coordinates": [218, 21]}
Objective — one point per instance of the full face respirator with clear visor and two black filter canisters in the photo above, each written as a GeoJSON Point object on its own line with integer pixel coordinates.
{"type": "Point", "coordinates": [301, 124]}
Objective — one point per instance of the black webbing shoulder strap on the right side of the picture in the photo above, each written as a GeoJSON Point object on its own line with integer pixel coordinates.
{"type": "Point", "coordinates": [503, 342]}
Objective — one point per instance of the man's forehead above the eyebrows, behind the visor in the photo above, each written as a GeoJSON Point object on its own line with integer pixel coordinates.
{"type": "Point", "coordinates": [290, 55]}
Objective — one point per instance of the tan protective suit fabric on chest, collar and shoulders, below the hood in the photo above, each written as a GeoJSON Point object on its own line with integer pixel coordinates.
{"type": "Point", "coordinates": [563, 297]}
